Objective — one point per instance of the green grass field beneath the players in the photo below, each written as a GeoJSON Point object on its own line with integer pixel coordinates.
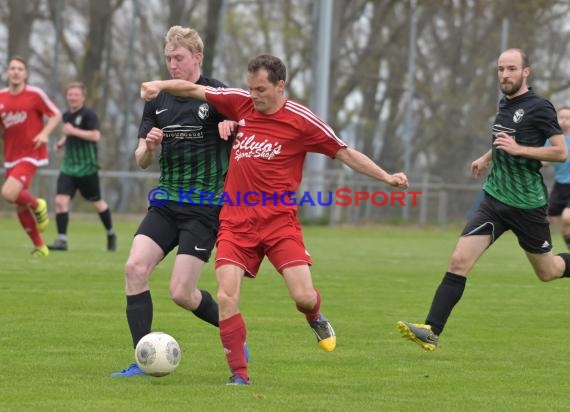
{"type": "Point", "coordinates": [63, 331]}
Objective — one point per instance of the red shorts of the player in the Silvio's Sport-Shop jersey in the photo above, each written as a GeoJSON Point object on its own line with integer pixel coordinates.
{"type": "Point", "coordinates": [247, 234]}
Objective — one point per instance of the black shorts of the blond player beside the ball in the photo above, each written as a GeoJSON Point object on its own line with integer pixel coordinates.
{"type": "Point", "coordinates": [192, 228]}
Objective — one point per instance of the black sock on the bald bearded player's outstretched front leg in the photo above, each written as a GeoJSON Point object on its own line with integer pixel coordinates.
{"type": "Point", "coordinates": [446, 296]}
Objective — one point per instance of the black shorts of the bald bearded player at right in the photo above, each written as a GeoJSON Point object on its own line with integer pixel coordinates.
{"type": "Point", "coordinates": [494, 218]}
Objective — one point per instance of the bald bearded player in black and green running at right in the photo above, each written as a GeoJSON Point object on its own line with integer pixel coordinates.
{"type": "Point", "coordinates": [515, 194]}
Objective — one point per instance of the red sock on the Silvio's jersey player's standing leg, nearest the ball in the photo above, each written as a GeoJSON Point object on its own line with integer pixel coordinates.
{"type": "Point", "coordinates": [232, 334]}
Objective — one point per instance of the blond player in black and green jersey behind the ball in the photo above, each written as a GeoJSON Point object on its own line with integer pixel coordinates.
{"type": "Point", "coordinates": [193, 160]}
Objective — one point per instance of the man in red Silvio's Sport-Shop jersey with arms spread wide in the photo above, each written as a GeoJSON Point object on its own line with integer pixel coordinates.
{"type": "Point", "coordinates": [267, 159]}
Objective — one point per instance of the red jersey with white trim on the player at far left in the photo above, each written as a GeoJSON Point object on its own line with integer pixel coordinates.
{"type": "Point", "coordinates": [22, 118]}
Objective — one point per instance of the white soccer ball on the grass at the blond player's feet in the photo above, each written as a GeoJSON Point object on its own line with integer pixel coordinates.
{"type": "Point", "coordinates": [157, 354]}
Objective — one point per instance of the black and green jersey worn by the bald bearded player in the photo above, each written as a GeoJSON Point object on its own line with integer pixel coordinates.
{"type": "Point", "coordinates": [515, 180]}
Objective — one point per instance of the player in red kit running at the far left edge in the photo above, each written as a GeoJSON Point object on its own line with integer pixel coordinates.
{"type": "Point", "coordinates": [22, 111]}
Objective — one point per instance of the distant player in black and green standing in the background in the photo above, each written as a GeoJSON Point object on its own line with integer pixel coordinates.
{"type": "Point", "coordinates": [79, 170]}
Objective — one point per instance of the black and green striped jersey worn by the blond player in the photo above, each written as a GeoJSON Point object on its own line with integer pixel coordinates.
{"type": "Point", "coordinates": [193, 158]}
